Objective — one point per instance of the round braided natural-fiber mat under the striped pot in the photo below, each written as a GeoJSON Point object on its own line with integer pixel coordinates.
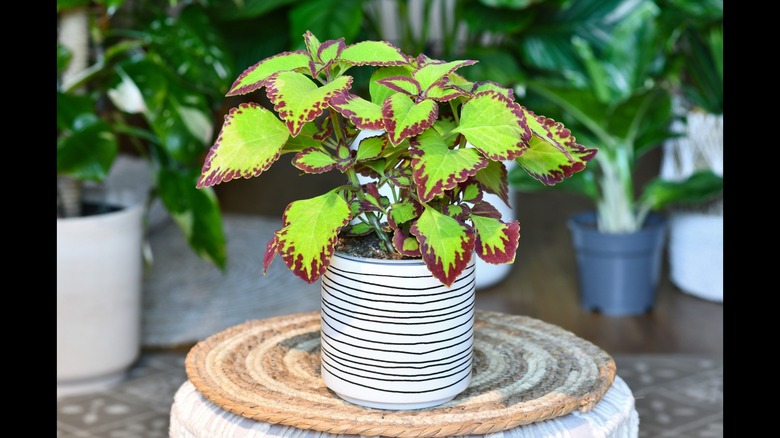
{"type": "Point", "coordinates": [525, 370]}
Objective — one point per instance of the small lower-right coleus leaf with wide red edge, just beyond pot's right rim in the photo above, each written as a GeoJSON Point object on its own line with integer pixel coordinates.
{"type": "Point", "coordinates": [496, 241]}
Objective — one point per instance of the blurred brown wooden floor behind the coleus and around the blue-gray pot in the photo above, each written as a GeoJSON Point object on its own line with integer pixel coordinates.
{"type": "Point", "coordinates": [542, 283]}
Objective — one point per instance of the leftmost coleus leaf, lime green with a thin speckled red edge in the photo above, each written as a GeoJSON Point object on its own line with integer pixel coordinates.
{"type": "Point", "coordinates": [250, 141]}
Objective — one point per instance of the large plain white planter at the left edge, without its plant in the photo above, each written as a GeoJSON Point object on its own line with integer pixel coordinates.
{"type": "Point", "coordinates": [99, 275]}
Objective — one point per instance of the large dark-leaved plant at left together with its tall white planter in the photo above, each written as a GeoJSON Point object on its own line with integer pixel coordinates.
{"type": "Point", "coordinates": [122, 85]}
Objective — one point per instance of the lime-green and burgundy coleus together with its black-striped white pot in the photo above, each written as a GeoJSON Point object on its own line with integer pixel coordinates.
{"type": "Point", "coordinates": [439, 144]}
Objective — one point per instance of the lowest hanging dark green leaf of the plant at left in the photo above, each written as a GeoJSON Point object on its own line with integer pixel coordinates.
{"type": "Point", "coordinates": [195, 211]}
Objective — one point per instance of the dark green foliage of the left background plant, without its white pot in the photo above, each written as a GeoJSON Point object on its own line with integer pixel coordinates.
{"type": "Point", "coordinates": [141, 78]}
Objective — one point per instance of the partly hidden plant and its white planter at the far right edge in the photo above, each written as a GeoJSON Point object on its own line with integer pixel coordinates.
{"type": "Point", "coordinates": [696, 230]}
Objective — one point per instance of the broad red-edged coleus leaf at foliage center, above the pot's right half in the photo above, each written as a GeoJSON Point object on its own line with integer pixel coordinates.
{"type": "Point", "coordinates": [437, 168]}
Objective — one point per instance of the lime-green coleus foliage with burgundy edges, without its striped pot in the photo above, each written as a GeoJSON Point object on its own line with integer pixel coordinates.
{"type": "Point", "coordinates": [437, 144]}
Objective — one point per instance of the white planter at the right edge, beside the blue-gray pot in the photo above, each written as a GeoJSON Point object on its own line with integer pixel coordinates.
{"type": "Point", "coordinates": [696, 254]}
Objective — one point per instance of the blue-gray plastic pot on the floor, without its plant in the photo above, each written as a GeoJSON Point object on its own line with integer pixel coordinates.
{"type": "Point", "coordinates": [618, 272]}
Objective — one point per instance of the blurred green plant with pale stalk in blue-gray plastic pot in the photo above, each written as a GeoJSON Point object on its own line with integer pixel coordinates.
{"type": "Point", "coordinates": [620, 105]}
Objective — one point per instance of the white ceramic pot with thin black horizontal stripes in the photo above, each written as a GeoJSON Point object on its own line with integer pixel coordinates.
{"type": "Point", "coordinates": [392, 336]}
